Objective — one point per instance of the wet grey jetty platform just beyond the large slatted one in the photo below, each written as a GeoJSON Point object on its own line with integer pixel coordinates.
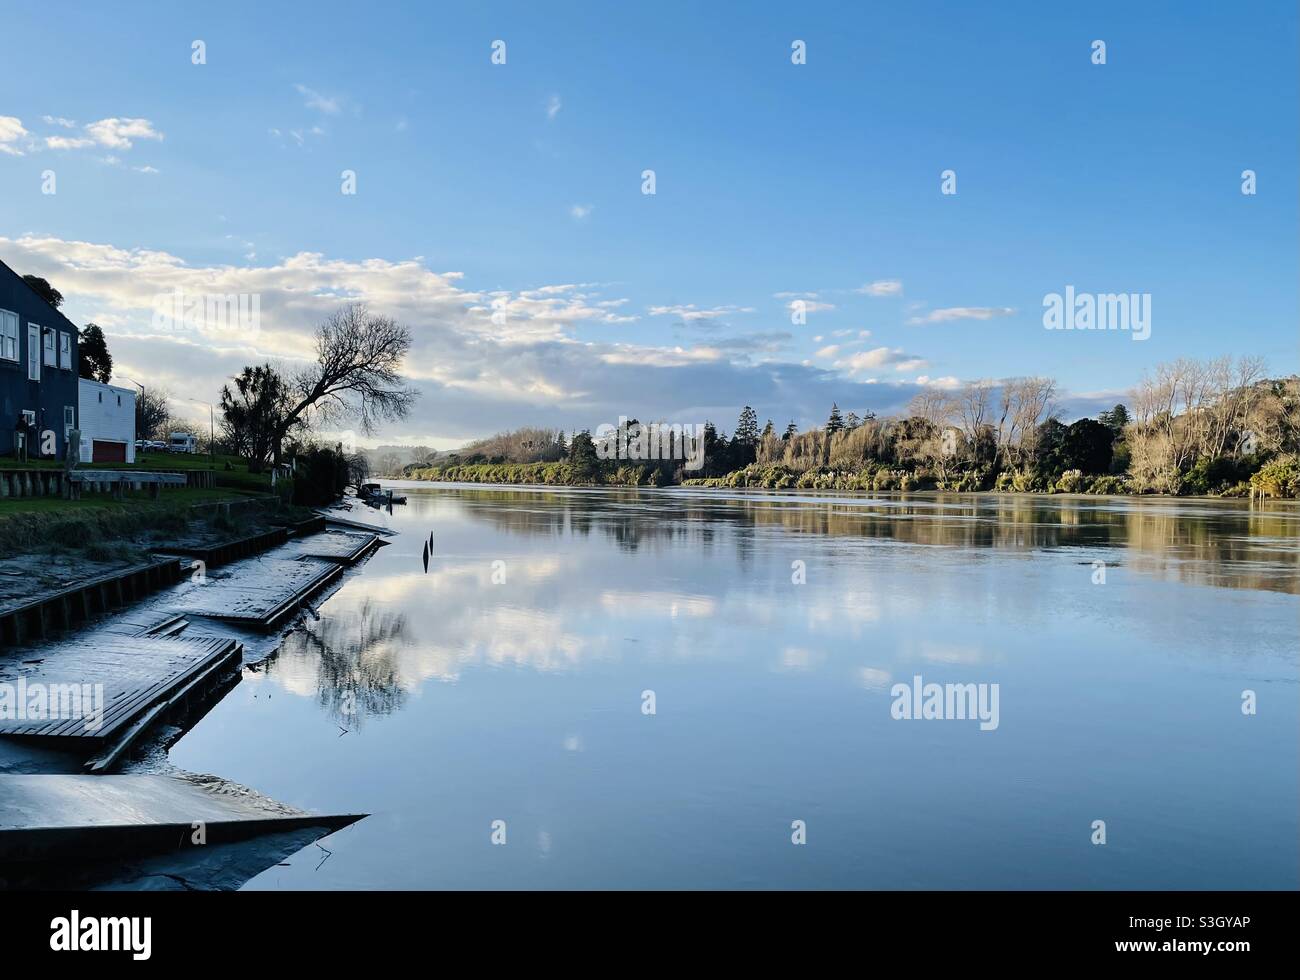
{"type": "Point", "coordinates": [265, 592]}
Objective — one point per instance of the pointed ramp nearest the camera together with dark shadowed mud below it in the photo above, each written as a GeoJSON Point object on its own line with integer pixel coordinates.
{"type": "Point", "coordinates": [76, 831]}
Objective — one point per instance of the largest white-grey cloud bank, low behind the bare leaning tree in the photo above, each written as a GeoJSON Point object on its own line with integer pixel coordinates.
{"type": "Point", "coordinates": [483, 361]}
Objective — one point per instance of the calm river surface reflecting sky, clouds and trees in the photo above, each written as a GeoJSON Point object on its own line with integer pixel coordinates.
{"type": "Point", "coordinates": [522, 701]}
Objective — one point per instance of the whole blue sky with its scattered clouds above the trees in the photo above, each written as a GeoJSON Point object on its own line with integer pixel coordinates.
{"type": "Point", "coordinates": [509, 183]}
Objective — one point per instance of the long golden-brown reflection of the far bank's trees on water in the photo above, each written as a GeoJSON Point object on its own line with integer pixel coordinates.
{"type": "Point", "coordinates": [1223, 544]}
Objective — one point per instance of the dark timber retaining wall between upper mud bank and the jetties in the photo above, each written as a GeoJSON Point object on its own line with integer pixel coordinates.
{"type": "Point", "coordinates": [37, 619]}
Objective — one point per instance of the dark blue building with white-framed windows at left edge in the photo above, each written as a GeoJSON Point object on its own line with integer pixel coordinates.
{"type": "Point", "coordinates": [38, 371]}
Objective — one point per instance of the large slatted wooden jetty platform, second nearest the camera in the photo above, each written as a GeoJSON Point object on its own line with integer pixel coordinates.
{"type": "Point", "coordinates": [98, 695]}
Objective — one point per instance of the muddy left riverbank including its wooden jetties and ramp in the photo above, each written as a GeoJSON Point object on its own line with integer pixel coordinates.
{"type": "Point", "coordinates": [127, 667]}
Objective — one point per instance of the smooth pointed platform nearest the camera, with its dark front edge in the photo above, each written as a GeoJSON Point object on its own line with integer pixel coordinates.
{"type": "Point", "coordinates": [59, 818]}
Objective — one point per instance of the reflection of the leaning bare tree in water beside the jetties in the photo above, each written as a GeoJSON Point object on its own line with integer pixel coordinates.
{"type": "Point", "coordinates": [354, 657]}
